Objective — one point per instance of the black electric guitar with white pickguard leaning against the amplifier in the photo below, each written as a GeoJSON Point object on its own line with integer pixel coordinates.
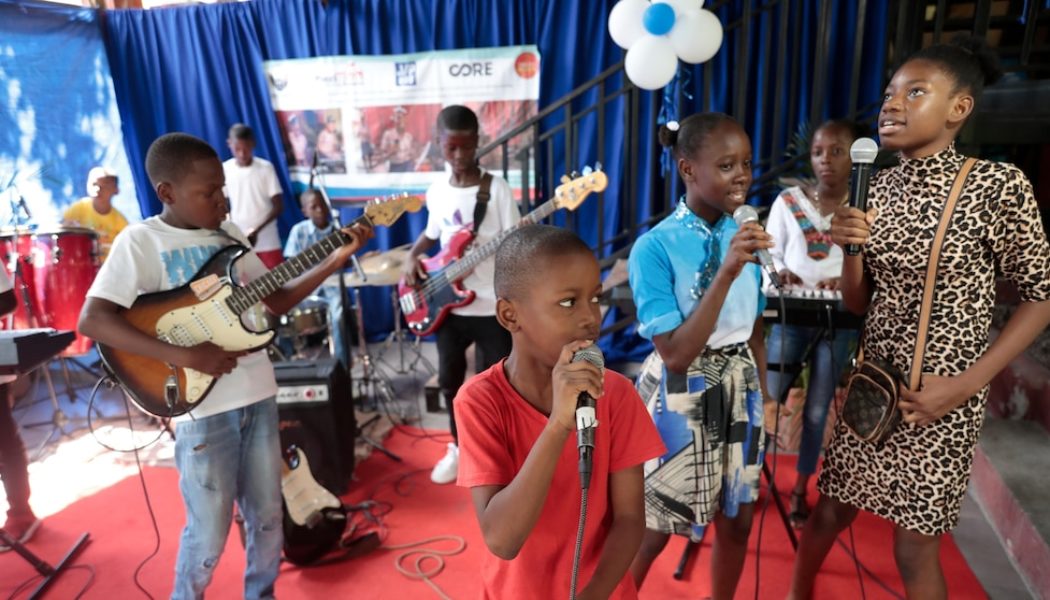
{"type": "Point", "coordinates": [314, 518]}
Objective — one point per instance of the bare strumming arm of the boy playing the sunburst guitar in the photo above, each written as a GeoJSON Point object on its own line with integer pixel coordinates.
{"type": "Point", "coordinates": [102, 321]}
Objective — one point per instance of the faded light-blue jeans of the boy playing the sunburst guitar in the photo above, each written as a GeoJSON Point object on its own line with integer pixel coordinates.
{"type": "Point", "coordinates": [233, 457]}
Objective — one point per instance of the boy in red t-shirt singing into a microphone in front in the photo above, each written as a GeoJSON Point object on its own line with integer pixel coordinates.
{"type": "Point", "coordinates": [517, 450]}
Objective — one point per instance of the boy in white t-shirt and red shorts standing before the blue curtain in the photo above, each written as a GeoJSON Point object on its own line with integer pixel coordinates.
{"type": "Point", "coordinates": [256, 195]}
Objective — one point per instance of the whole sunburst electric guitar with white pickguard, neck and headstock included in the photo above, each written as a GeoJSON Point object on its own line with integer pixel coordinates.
{"type": "Point", "coordinates": [209, 308]}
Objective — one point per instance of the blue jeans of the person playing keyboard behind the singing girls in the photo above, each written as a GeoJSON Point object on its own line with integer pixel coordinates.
{"type": "Point", "coordinates": [829, 363]}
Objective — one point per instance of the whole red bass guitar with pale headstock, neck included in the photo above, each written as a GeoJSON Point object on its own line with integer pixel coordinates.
{"type": "Point", "coordinates": [427, 306]}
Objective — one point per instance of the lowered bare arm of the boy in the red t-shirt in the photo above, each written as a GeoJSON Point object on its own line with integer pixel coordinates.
{"type": "Point", "coordinates": [625, 535]}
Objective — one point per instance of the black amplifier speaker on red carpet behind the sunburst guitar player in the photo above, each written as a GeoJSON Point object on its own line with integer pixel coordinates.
{"type": "Point", "coordinates": [317, 413]}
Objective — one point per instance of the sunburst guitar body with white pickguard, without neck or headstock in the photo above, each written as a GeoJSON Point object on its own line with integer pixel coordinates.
{"type": "Point", "coordinates": [192, 315]}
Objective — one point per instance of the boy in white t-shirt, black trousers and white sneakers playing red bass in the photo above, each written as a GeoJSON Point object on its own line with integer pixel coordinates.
{"type": "Point", "coordinates": [451, 204]}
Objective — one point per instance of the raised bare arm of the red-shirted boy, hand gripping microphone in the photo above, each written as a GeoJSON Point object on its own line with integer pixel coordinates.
{"type": "Point", "coordinates": [508, 514]}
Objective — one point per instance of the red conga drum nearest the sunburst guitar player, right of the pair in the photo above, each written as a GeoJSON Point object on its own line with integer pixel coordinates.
{"type": "Point", "coordinates": [66, 262]}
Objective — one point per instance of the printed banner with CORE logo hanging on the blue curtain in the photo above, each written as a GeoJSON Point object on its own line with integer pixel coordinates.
{"type": "Point", "coordinates": [369, 122]}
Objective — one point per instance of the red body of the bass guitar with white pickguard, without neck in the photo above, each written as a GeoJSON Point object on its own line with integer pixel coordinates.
{"type": "Point", "coordinates": [427, 306]}
